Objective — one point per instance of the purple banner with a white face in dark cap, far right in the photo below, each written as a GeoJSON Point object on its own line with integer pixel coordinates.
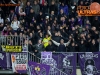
{"type": "Point", "coordinates": [89, 63]}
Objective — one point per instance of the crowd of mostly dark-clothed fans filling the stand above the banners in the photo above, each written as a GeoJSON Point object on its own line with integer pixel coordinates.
{"type": "Point", "coordinates": [52, 26]}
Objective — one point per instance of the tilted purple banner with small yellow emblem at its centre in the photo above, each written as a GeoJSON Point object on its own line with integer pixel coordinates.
{"type": "Point", "coordinates": [38, 69]}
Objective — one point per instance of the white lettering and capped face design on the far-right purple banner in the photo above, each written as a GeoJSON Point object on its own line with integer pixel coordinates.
{"type": "Point", "coordinates": [90, 67]}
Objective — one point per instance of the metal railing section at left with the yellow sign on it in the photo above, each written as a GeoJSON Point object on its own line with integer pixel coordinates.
{"type": "Point", "coordinates": [11, 44]}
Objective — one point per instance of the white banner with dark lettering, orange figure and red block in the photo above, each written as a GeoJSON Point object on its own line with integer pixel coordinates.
{"type": "Point", "coordinates": [19, 62]}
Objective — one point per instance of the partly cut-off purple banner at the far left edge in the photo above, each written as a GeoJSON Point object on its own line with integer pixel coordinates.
{"type": "Point", "coordinates": [3, 60]}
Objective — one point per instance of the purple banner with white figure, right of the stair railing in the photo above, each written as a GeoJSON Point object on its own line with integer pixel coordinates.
{"type": "Point", "coordinates": [66, 62]}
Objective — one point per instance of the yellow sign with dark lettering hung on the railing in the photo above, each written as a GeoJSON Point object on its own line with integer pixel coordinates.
{"type": "Point", "coordinates": [8, 48]}
